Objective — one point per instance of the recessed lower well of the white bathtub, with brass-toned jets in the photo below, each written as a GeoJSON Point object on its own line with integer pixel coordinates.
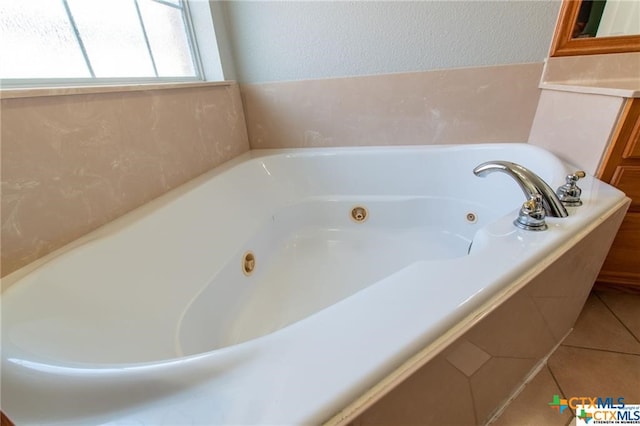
{"type": "Point", "coordinates": [313, 254]}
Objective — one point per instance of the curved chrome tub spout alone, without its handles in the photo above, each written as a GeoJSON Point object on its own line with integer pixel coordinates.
{"type": "Point", "coordinates": [531, 184]}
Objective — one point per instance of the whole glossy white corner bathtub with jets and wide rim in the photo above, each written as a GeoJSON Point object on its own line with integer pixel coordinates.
{"type": "Point", "coordinates": [151, 319]}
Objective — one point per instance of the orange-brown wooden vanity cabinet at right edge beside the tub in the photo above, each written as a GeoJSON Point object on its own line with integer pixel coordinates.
{"type": "Point", "coordinates": [621, 168]}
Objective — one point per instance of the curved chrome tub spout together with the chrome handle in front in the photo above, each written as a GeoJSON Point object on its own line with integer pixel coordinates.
{"type": "Point", "coordinates": [541, 199]}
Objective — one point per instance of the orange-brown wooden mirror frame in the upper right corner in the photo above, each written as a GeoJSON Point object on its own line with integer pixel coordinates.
{"type": "Point", "coordinates": [564, 45]}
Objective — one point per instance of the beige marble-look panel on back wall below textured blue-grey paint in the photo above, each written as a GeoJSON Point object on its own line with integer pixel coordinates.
{"type": "Point", "coordinates": [466, 105]}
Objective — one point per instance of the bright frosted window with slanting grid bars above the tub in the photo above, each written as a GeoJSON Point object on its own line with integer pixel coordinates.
{"type": "Point", "coordinates": [48, 42]}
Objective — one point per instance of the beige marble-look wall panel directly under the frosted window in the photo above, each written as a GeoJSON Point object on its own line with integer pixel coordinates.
{"type": "Point", "coordinates": [71, 163]}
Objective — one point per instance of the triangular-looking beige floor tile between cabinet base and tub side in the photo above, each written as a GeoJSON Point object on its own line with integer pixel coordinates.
{"type": "Point", "coordinates": [598, 328]}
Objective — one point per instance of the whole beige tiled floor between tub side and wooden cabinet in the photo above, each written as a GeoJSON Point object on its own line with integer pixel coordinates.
{"type": "Point", "coordinates": [600, 357]}
